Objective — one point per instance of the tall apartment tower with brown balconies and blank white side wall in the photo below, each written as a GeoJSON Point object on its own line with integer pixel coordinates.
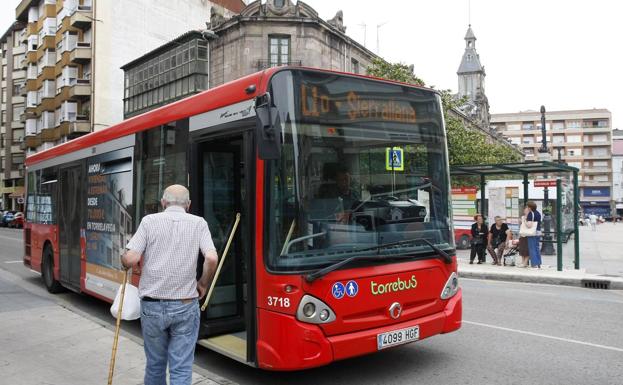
{"type": "Point", "coordinates": [73, 53]}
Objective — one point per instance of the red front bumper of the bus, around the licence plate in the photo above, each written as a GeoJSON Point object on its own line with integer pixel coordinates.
{"type": "Point", "coordinates": [287, 344]}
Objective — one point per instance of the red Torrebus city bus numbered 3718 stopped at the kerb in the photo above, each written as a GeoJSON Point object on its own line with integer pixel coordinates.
{"type": "Point", "coordinates": [345, 245]}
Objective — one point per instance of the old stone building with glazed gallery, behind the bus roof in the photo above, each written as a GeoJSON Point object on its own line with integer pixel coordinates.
{"type": "Point", "coordinates": [262, 35]}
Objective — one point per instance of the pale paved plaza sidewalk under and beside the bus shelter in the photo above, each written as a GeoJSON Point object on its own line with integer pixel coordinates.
{"type": "Point", "coordinates": [601, 261]}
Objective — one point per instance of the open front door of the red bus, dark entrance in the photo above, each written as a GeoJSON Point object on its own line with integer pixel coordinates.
{"type": "Point", "coordinates": [220, 193]}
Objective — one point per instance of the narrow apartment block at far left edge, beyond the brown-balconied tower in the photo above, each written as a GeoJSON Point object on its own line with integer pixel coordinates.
{"type": "Point", "coordinates": [12, 79]}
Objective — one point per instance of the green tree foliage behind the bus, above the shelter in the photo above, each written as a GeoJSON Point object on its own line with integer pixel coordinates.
{"type": "Point", "coordinates": [465, 146]}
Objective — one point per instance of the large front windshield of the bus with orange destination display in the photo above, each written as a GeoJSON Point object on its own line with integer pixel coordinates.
{"type": "Point", "coordinates": [363, 171]}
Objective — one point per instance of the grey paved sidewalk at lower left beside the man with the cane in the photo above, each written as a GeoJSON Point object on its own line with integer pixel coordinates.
{"type": "Point", "coordinates": [44, 343]}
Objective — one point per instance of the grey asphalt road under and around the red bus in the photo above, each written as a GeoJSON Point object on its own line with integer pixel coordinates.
{"type": "Point", "coordinates": [513, 333]}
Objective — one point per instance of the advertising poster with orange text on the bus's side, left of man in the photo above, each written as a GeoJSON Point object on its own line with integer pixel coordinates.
{"type": "Point", "coordinates": [108, 221]}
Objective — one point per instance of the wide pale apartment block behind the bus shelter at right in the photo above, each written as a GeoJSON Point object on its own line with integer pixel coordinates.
{"type": "Point", "coordinates": [581, 138]}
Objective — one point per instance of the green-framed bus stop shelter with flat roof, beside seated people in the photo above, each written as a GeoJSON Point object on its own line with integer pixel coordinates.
{"type": "Point", "coordinates": [562, 173]}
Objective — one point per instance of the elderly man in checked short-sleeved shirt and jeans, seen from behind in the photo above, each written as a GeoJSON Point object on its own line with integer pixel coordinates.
{"type": "Point", "coordinates": [170, 242]}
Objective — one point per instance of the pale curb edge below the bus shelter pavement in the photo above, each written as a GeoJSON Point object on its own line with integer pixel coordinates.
{"type": "Point", "coordinates": [614, 284]}
